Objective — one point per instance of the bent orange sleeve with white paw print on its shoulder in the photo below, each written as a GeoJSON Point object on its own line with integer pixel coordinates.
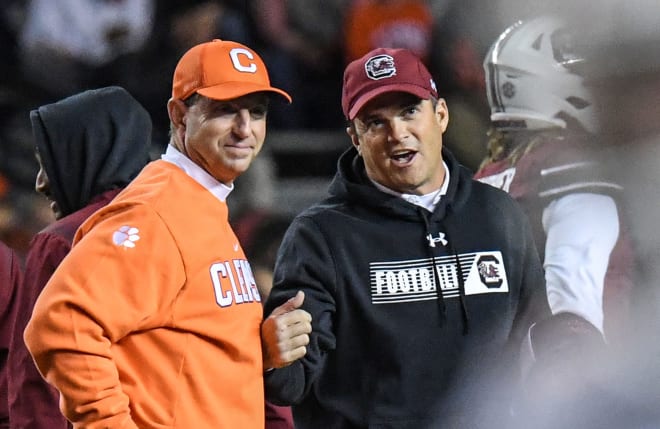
{"type": "Point", "coordinates": [115, 281]}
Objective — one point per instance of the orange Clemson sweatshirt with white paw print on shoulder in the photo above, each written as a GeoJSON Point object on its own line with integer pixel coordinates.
{"type": "Point", "coordinates": [153, 319]}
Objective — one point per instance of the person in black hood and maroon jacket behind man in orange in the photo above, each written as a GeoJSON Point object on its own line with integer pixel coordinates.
{"type": "Point", "coordinates": [89, 147]}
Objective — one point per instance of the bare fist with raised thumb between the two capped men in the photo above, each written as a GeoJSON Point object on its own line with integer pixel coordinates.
{"type": "Point", "coordinates": [285, 333]}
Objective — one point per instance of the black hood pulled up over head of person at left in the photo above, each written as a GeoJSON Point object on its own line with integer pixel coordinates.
{"type": "Point", "coordinates": [105, 153]}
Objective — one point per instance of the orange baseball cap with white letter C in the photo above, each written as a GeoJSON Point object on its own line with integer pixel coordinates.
{"type": "Point", "coordinates": [221, 70]}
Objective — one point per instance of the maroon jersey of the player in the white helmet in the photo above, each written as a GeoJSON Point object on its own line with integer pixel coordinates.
{"type": "Point", "coordinates": [550, 169]}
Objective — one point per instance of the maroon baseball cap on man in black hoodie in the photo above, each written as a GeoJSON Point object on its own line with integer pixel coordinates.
{"type": "Point", "coordinates": [384, 70]}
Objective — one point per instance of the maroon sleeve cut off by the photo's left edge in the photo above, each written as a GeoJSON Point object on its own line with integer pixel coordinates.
{"type": "Point", "coordinates": [10, 277]}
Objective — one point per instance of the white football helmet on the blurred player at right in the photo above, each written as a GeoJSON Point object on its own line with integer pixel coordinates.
{"type": "Point", "coordinates": [530, 78]}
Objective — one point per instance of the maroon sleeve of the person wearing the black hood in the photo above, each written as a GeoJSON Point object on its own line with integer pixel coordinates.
{"type": "Point", "coordinates": [33, 403]}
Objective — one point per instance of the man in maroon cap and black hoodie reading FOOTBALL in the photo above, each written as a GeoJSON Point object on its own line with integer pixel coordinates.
{"type": "Point", "coordinates": [421, 283]}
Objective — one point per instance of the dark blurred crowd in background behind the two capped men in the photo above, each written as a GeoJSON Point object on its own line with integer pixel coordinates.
{"type": "Point", "coordinates": [52, 49]}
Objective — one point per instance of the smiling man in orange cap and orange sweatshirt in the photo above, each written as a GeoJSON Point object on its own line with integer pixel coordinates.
{"type": "Point", "coordinates": [153, 320]}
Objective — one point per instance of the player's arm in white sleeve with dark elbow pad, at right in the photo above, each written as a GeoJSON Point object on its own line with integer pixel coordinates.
{"type": "Point", "coordinates": [559, 352]}
